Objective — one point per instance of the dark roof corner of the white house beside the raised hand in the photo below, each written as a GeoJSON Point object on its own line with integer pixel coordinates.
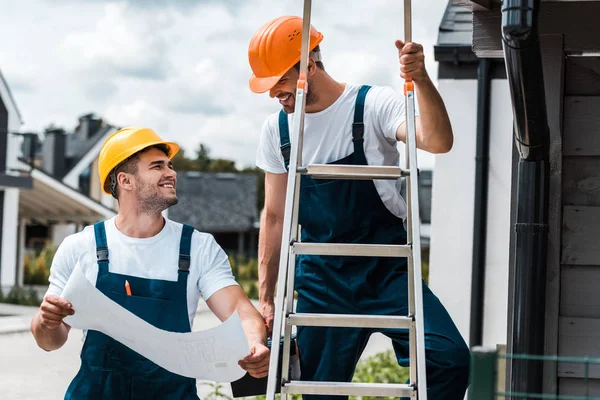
{"type": "Point", "coordinates": [455, 35]}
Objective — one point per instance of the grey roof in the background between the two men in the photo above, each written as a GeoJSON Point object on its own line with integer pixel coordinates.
{"type": "Point", "coordinates": [216, 202]}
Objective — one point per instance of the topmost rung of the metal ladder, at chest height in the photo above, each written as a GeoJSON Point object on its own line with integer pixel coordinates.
{"type": "Point", "coordinates": [355, 172]}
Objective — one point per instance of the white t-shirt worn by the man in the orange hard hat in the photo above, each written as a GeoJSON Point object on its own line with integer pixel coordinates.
{"type": "Point", "coordinates": [328, 137]}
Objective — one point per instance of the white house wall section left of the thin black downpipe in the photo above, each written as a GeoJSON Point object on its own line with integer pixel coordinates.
{"type": "Point", "coordinates": [452, 205]}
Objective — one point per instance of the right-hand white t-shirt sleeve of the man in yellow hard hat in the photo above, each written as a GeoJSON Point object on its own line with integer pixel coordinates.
{"type": "Point", "coordinates": [215, 271]}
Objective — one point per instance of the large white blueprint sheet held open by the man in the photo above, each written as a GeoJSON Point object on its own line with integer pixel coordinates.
{"type": "Point", "coordinates": [212, 354]}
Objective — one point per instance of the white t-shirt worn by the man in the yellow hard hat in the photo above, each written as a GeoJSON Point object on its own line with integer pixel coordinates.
{"type": "Point", "coordinates": [151, 258]}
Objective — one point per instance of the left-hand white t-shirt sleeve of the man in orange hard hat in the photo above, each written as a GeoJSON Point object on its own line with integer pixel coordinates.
{"type": "Point", "coordinates": [268, 155]}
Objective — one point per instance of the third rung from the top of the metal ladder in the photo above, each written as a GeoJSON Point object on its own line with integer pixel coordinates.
{"type": "Point", "coordinates": [350, 320]}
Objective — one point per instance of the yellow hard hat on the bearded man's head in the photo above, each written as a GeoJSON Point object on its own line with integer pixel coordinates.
{"type": "Point", "coordinates": [123, 144]}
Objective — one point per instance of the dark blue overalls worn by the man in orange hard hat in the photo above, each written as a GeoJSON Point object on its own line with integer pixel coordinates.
{"type": "Point", "coordinates": [347, 211]}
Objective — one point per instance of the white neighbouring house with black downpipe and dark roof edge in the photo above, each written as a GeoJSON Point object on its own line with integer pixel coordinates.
{"type": "Point", "coordinates": [477, 98]}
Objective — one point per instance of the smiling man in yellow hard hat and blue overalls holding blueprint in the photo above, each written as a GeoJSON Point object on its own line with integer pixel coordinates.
{"type": "Point", "coordinates": [154, 267]}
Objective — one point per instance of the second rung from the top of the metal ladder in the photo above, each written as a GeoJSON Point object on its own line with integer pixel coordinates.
{"type": "Point", "coordinates": [350, 249]}
